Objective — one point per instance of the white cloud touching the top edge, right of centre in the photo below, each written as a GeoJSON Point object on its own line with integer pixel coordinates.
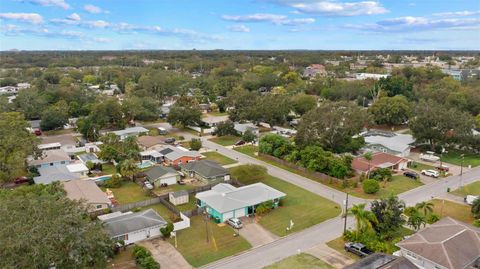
{"type": "Point", "coordinates": [334, 8]}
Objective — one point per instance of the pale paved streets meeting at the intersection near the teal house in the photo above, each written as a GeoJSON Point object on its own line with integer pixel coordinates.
{"type": "Point", "coordinates": [325, 231]}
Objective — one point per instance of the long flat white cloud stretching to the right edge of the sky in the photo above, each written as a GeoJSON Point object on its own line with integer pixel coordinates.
{"type": "Point", "coordinates": [410, 23]}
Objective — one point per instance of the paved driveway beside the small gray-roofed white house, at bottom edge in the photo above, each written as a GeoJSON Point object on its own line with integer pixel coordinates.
{"type": "Point", "coordinates": [165, 254]}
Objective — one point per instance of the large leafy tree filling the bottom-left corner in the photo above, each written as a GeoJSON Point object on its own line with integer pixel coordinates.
{"type": "Point", "coordinates": [50, 230]}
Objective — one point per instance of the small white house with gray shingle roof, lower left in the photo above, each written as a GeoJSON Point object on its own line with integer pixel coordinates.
{"type": "Point", "coordinates": [133, 227]}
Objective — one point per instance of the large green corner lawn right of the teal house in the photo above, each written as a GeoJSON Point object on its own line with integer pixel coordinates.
{"type": "Point", "coordinates": [304, 208]}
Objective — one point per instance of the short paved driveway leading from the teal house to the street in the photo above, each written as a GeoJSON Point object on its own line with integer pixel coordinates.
{"type": "Point", "coordinates": [255, 234]}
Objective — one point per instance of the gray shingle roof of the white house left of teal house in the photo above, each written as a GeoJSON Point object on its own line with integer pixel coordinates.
{"type": "Point", "coordinates": [128, 223]}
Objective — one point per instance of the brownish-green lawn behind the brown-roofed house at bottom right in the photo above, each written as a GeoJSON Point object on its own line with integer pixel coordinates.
{"type": "Point", "coordinates": [454, 210]}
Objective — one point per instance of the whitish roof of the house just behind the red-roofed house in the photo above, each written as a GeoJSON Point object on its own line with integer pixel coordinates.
{"type": "Point", "coordinates": [393, 141]}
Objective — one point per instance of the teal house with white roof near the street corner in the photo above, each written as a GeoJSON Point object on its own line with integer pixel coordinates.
{"type": "Point", "coordinates": [225, 201]}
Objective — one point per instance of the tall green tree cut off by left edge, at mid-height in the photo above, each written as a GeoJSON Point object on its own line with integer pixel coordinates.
{"type": "Point", "coordinates": [16, 143]}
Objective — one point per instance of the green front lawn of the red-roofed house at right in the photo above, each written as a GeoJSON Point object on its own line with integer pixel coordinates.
{"type": "Point", "coordinates": [398, 185]}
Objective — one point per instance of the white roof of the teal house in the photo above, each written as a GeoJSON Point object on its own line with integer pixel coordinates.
{"type": "Point", "coordinates": [225, 197]}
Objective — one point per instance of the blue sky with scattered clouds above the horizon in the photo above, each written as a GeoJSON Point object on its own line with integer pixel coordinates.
{"type": "Point", "coordinates": [240, 24]}
